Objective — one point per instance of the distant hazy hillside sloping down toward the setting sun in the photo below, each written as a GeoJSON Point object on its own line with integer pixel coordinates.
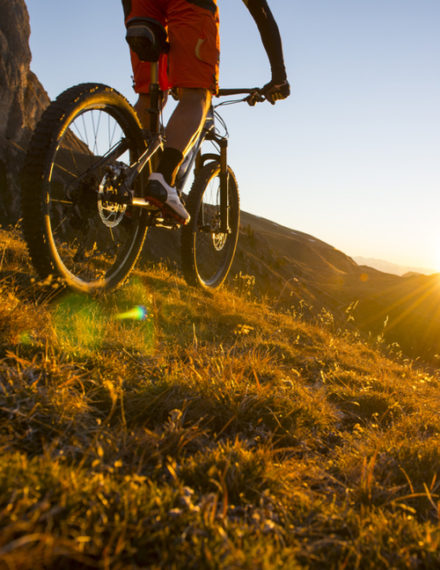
{"type": "Point", "coordinates": [301, 273]}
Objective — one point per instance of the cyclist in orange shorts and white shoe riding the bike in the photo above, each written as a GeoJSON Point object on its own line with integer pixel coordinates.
{"type": "Point", "coordinates": [191, 67]}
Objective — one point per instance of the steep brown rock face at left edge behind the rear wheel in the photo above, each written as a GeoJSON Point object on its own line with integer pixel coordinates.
{"type": "Point", "coordinates": [22, 100]}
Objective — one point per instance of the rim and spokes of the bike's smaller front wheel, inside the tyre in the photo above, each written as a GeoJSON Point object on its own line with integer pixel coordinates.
{"type": "Point", "coordinates": [213, 248]}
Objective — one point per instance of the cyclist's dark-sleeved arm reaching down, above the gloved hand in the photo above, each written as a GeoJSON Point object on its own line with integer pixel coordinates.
{"type": "Point", "coordinates": [270, 37]}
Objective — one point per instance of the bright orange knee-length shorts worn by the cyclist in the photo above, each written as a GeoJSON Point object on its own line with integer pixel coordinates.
{"type": "Point", "coordinates": [193, 33]}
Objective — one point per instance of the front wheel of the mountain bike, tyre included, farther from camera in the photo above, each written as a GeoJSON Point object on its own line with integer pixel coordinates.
{"type": "Point", "coordinates": [207, 249]}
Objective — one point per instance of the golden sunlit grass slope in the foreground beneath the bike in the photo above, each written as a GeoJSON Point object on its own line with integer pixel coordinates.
{"type": "Point", "coordinates": [212, 433]}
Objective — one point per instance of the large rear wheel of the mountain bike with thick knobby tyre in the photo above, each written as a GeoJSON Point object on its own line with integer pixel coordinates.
{"type": "Point", "coordinates": [79, 152]}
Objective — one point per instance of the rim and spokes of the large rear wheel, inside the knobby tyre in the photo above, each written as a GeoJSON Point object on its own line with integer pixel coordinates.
{"type": "Point", "coordinates": [90, 237]}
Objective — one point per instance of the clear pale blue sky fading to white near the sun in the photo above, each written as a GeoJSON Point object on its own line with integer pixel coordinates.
{"type": "Point", "coordinates": [352, 157]}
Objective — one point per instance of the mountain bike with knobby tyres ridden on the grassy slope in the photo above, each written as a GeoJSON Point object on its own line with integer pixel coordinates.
{"type": "Point", "coordinates": [84, 204]}
